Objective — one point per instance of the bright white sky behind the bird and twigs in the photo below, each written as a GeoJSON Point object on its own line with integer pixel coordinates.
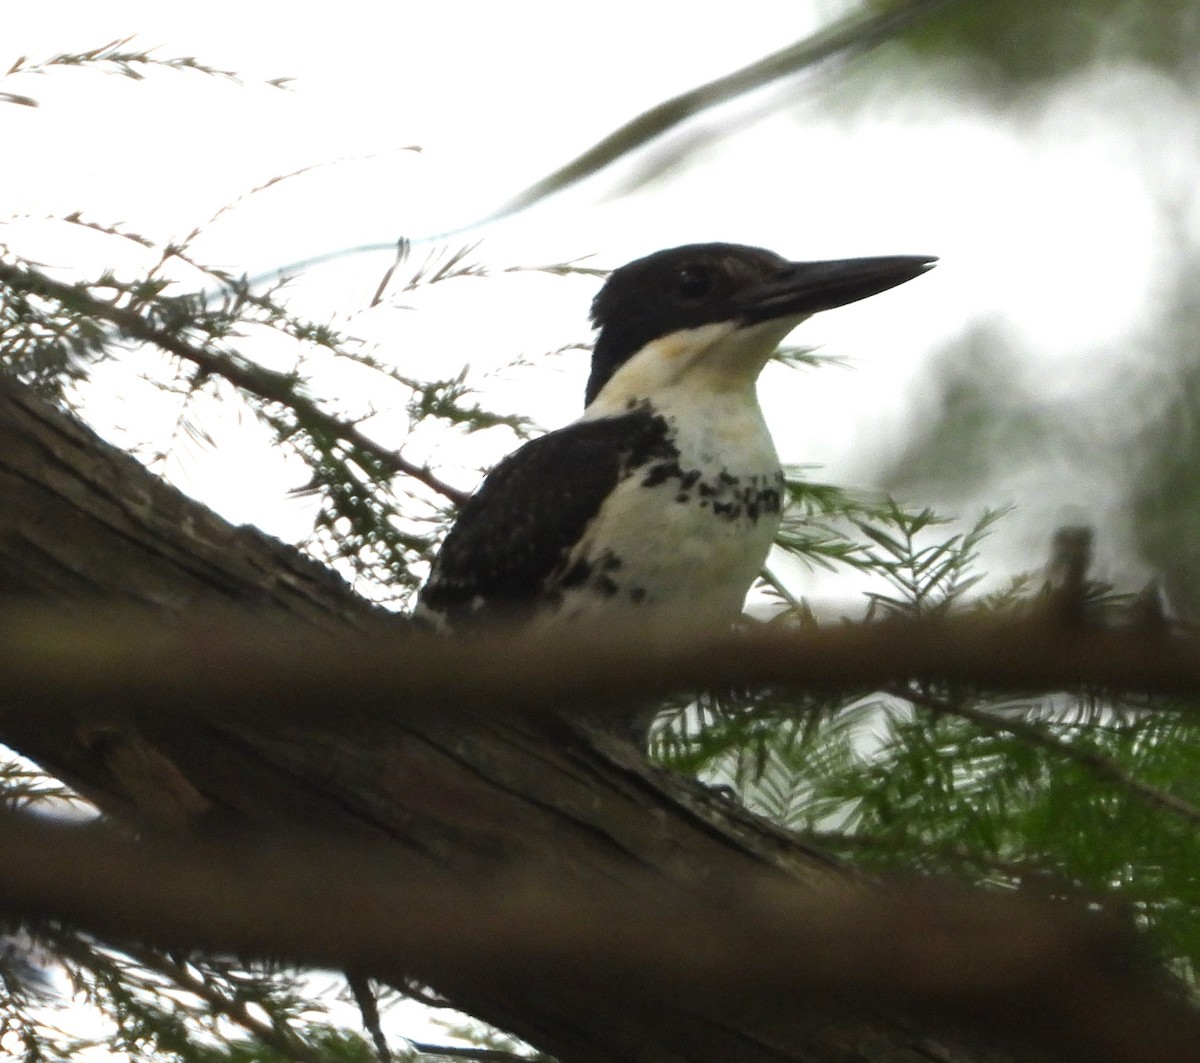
{"type": "Point", "coordinates": [1054, 218]}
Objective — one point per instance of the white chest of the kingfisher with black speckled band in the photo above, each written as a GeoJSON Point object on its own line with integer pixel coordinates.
{"type": "Point", "coordinates": [688, 527]}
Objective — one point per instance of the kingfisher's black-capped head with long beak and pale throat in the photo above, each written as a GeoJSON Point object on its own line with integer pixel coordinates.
{"type": "Point", "coordinates": [719, 310]}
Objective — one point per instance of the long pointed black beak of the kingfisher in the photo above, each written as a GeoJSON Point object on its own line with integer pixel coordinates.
{"type": "Point", "coordinates": [809, 287]}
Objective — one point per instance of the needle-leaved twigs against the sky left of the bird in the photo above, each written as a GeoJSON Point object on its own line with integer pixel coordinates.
{"type": "Point", "coordinates": [379, 514]}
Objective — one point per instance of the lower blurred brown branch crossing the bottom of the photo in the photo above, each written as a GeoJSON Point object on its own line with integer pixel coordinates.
{"type": "Point", "coordinates": [1031, 970]}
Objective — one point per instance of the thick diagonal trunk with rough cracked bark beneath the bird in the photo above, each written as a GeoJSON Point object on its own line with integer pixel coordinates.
{"type": "Point", "coordinates": [477, 801]}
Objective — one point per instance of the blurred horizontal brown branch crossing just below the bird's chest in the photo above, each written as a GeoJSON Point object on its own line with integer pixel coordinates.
{"type": "Point", "coordinates": [257, 666]}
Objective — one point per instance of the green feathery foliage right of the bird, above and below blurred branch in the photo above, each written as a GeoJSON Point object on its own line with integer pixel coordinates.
{"type": "Point", "coordinates": [1069, 794]}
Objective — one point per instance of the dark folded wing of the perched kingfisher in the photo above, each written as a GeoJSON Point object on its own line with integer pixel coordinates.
{"type": "Point", "coordinates": [514, 536]}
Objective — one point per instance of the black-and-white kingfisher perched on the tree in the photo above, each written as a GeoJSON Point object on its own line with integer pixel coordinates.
{"type": "Point", "coordinates": [668, 490]}
